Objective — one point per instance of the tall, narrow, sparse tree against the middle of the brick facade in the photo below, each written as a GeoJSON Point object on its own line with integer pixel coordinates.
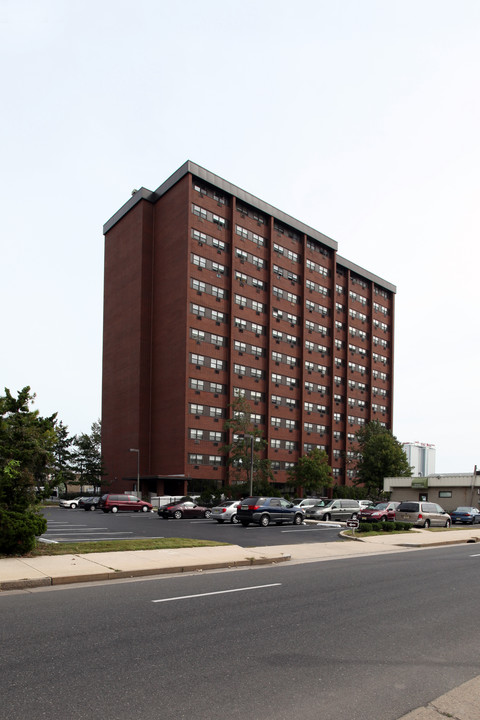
{"type": "Point", "coordinates": [239, 451]}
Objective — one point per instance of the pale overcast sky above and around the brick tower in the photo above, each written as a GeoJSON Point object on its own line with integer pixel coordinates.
{"type": "Point", "coordinates": [359, 117]}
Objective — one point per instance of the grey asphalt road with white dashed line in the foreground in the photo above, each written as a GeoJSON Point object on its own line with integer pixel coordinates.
{"type": "Point", "coordinates": [358, 638]}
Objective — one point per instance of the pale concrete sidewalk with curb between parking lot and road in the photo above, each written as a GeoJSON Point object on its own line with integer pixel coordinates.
{"type": "Point", "coordinates": [21, 573]}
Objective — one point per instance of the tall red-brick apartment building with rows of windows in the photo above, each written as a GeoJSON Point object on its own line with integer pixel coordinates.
{"type": "Point", "coordinates": [211, 293]}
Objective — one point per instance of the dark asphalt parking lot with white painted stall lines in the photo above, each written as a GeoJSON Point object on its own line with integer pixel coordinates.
{"type": "Point", "coordinates": [80, 526]}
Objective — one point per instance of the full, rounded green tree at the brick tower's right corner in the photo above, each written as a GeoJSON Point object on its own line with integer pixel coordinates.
{"type": "Point", "coordinates": [379, 455]}
